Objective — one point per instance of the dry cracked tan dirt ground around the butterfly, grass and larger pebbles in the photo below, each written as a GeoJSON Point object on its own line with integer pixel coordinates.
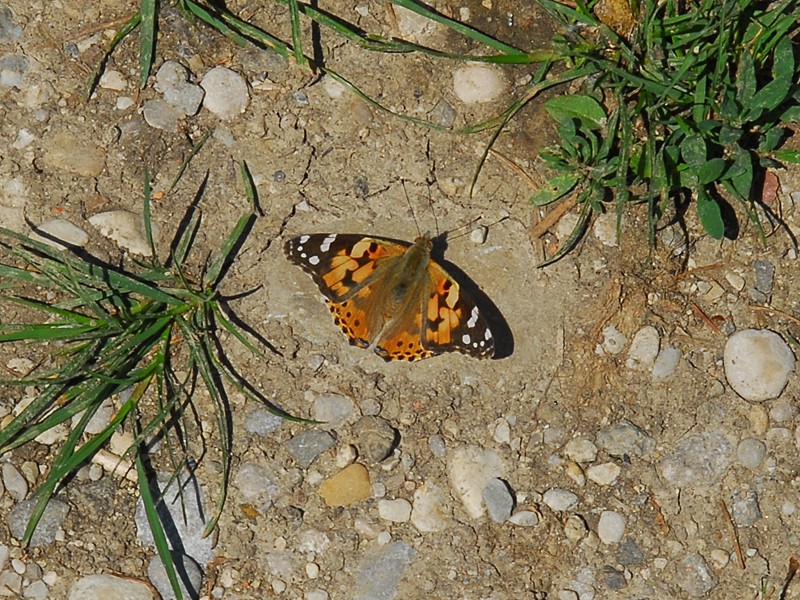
{"type": "Point", "coordinates": [333, 164]}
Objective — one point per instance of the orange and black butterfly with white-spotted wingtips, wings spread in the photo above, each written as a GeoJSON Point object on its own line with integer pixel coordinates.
{"type": "Point", "coordinates": [390, 295]}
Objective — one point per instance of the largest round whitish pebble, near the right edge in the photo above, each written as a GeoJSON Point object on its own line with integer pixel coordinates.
{"type": "Point", "coordinates": [757, 364]}
